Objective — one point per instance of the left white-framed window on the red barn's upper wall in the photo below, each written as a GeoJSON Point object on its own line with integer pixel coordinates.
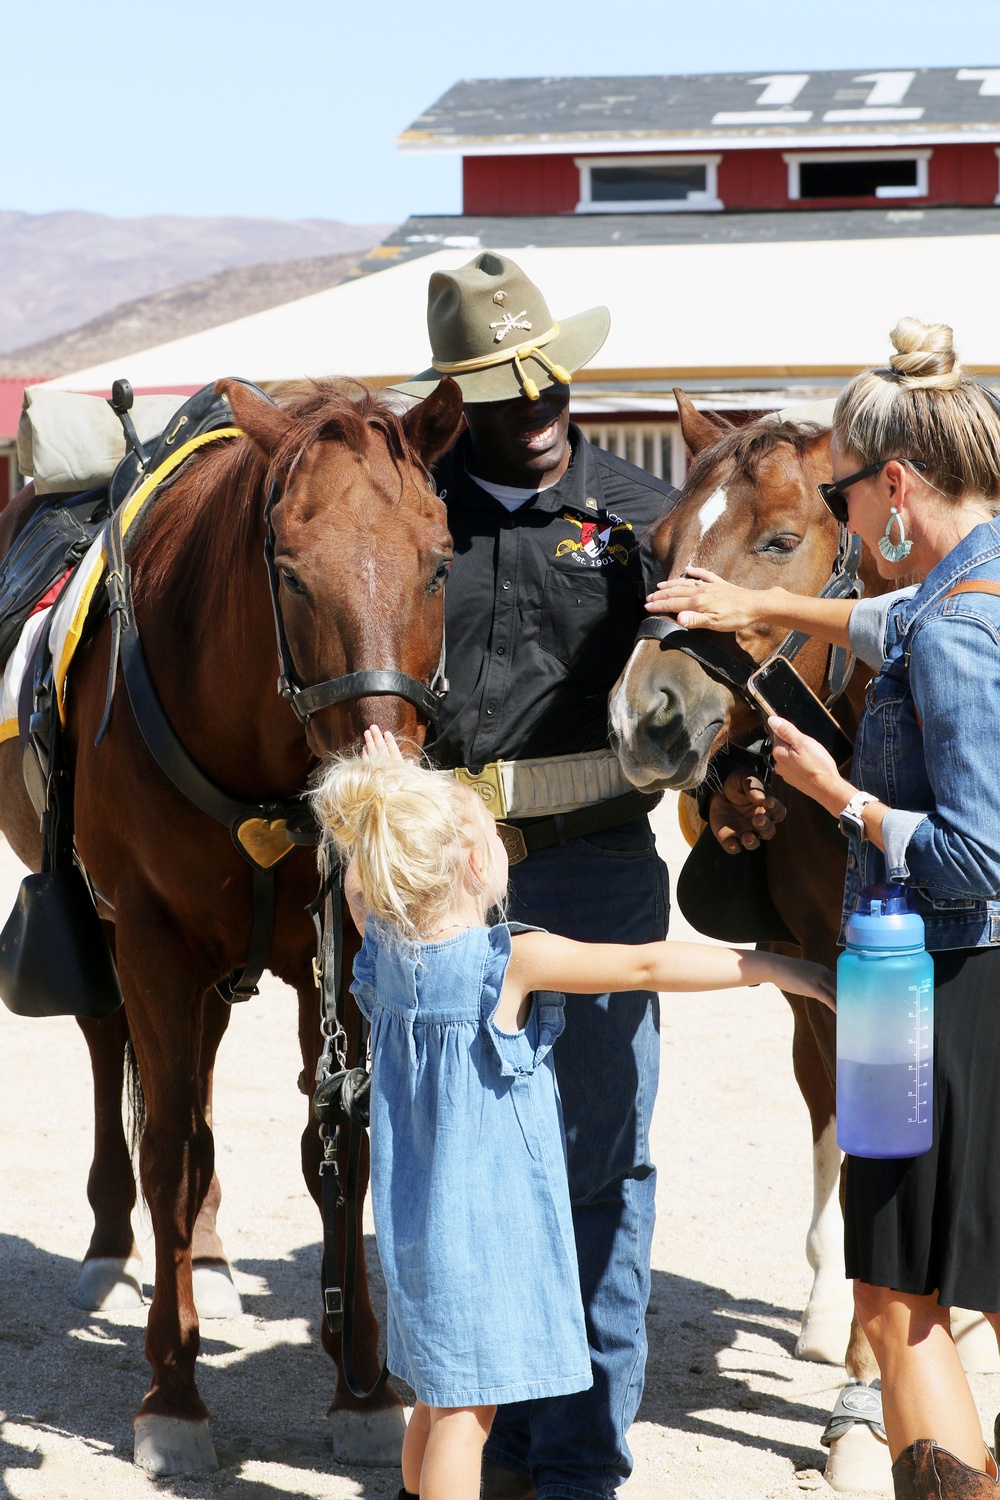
{"type": "Point", "coordinates": [648, 184]}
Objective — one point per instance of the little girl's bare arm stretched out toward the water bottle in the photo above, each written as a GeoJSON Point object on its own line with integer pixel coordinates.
{"type": "Point", "coordinates": [545, 962]}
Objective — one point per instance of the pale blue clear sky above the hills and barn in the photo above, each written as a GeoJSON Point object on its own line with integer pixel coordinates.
{"type": "Point", "coordinates": [292, 109]}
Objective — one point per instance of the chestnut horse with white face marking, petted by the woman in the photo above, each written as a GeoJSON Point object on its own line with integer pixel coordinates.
{"type": "Point", "coordinates": [750, 512]}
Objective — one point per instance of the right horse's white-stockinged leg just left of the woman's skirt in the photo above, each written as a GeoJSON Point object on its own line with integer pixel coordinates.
{"type": "Point", "coordinates": [828, 1312]}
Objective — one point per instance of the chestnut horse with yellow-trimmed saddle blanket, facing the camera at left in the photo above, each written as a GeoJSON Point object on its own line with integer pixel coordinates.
{"type": "Point", "coordinates": [362, 550]}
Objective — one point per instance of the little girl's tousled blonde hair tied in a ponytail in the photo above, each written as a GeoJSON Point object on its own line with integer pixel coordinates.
{"type": "Point", "coordinates": [410, 832]}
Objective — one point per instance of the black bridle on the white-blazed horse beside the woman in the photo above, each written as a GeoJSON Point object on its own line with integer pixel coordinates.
{"type": "Point", "coordinates": [731, 665]}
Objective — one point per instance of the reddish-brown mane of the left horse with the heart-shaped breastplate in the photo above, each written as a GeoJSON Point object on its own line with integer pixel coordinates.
{"type": "Point", "coordinates": [200, 542]}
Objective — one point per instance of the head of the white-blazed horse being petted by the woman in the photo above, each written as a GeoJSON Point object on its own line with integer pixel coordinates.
{"type": "Point", "coordinates": [752, 514]}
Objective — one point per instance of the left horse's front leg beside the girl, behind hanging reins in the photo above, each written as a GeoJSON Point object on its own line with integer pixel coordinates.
{"type": "Point", "coordinates": [368, 1433]}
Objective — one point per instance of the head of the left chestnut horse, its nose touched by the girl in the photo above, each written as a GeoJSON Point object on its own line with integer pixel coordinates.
{"type": "Point", "coordinates": [361, 548]}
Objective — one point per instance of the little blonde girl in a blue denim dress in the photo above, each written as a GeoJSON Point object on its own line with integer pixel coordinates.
{"type": "Point", "coordinates": [469, 1166]}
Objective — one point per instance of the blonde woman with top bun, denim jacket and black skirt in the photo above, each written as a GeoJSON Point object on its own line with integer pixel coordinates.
{"type": "Point", "coordinates": [917, 475]}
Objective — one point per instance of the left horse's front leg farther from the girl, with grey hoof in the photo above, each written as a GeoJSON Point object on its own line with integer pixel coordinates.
{"type": "Point", "coordinates": [164, 1004]}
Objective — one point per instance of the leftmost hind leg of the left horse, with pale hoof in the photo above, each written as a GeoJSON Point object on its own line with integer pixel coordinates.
{"type": "Point", "coordinates": [112, 1274]}
